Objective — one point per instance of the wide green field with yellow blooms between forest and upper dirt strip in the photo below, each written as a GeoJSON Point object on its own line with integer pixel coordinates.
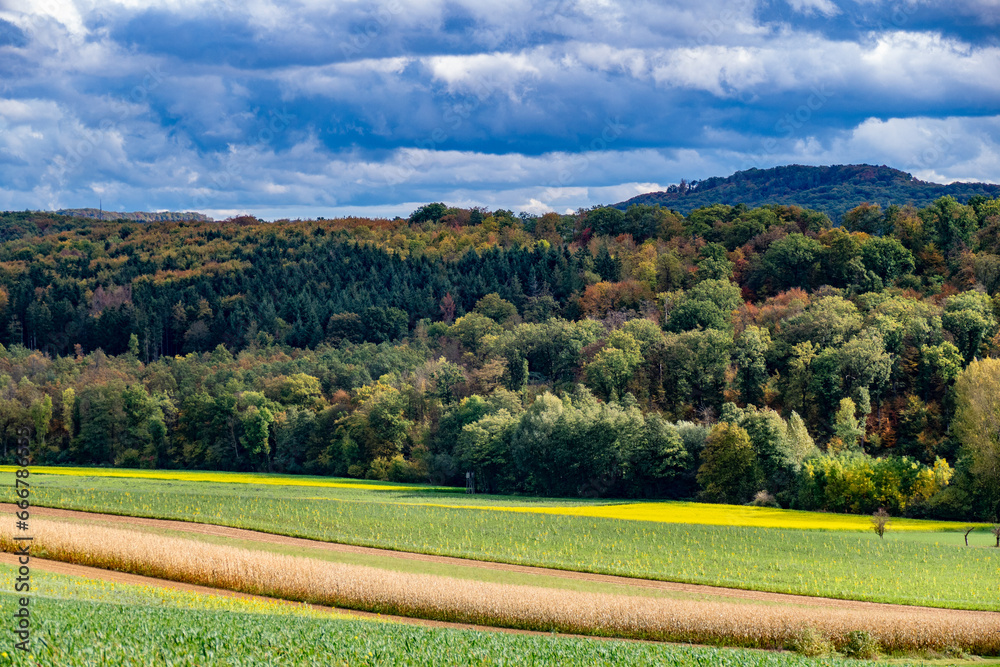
{"type": "Point", "coordinates": [913, 567]}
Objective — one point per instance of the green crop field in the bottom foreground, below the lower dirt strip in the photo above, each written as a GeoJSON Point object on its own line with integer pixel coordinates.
{"type": "Point", "coordinates": [84, 622]}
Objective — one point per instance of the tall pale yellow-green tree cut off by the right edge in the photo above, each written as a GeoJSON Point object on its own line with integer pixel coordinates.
{"type": "Point", "coordinates": [977, 426]}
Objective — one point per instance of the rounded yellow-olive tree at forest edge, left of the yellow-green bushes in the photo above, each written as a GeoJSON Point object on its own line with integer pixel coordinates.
{"type": "Point", "coordinates": [729, 472]}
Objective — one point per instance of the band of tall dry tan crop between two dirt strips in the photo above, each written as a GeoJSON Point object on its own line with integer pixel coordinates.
{"type": "Point", "coordinates": [443, 598]}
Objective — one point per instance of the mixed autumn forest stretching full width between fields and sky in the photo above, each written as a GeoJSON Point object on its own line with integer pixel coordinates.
{"type": "Point", "coordinates": [733, 354]}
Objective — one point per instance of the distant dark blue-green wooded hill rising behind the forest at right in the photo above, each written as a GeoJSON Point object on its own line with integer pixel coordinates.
{"type": "Point", "coordinates": [833, 190]}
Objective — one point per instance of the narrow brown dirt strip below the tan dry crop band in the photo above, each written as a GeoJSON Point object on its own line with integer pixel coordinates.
{"type": "Point", "coordinates": [59, 567]}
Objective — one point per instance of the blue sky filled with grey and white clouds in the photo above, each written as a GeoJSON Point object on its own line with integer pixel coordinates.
{"type": "Point", "coordinates": [325, 108]}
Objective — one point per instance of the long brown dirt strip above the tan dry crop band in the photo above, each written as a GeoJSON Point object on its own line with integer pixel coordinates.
{"type": "Point", "coordinates": [733, 594]}
